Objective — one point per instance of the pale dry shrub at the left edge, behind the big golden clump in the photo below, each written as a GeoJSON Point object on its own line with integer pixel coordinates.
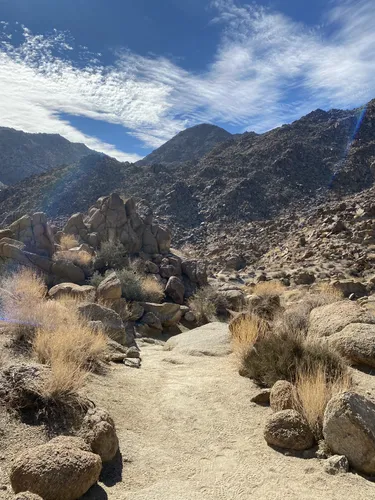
{"type": "Point", "coordinates": [21, 296]}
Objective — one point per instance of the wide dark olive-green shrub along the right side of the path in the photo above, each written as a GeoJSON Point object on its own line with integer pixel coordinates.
{"type": "Point", "coordinates": [279, 356]}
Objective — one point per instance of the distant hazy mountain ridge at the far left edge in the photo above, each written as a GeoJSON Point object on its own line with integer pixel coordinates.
{"type": "Point", "coordinates": [23, 155]}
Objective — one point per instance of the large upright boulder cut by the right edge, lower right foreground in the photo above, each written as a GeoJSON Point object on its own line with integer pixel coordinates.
{"type": "Point", "coordinates": [349, 429]}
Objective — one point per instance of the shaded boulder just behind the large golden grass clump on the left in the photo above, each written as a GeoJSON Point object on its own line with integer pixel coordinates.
{"type": "Point", "coordinates": [112, 322]}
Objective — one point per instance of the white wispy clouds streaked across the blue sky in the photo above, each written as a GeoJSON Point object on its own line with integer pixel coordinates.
{"type": "Point", "coordinates": [267, 70]}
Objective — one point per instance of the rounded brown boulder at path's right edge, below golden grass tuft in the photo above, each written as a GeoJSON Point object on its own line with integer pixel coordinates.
{"type": "Point", "coordinates": [288, 429]}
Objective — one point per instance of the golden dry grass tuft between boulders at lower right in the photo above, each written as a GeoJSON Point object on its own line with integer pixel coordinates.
{"type": "Point", "coordinates": [314, 389]}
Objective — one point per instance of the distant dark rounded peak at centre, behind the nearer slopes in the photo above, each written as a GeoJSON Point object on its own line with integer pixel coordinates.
{"type": "Point", "coordinates": [189, 145]}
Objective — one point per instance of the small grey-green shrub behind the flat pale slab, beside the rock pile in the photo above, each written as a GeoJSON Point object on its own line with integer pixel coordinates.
{"type": "Point", "coordinates": [208, 305]}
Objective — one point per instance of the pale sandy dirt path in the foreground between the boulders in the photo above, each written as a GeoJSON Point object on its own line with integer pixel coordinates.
{"type": "Point", "coordinates": [188, 431]}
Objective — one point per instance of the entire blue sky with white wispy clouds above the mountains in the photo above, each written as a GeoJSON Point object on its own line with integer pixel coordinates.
{"type": "Point", "coordinates": [124, 76]}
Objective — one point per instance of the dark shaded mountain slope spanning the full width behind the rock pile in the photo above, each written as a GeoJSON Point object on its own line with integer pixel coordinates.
{"type": "Point", "coordinates": [226, 198]}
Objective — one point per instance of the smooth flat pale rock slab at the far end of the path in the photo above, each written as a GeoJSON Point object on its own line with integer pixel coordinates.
{"type": "Point", "coordinates": [212, 339]}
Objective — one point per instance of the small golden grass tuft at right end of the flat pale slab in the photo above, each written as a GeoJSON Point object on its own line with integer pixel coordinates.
{"type": "Point", "coordinates": [246, 329]}
